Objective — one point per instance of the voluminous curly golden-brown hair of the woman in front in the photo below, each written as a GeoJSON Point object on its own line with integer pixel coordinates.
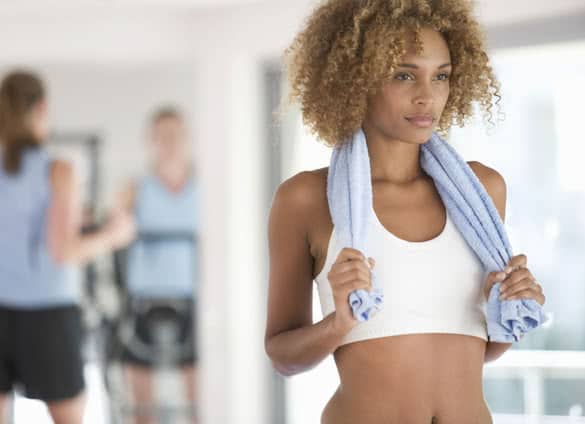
{"type": "Point", "coordinates": [349, 48]}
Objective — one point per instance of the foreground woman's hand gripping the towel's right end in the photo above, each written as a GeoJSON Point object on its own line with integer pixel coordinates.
{"type": "Point", "coordinates": [519, 282]}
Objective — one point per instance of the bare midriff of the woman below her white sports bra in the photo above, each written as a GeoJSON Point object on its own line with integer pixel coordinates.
{"type": "Point", "coordinates": [410, 379]}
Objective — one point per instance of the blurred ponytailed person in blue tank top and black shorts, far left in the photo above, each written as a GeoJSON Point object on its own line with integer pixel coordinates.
{"type": "Point", "coordinates": [41, 243]}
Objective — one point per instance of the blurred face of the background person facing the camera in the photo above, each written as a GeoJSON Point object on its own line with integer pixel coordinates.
{"type": "Point", "coordinates": [169, 141]}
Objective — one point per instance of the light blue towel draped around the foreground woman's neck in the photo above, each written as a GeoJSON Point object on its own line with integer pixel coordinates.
{"type": "Point", "coordinates": [349, 193]}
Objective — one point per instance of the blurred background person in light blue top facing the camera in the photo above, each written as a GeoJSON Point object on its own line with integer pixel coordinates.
{"type": "Point", "coordinates": [162, 263]}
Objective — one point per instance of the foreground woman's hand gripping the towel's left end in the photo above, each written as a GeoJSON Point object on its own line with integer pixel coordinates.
{"type": "Point", "coordinates": [349, 272]}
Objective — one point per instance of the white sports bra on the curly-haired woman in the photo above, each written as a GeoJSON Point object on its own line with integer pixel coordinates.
{"type": "Point", "coordinates": [433, 286]}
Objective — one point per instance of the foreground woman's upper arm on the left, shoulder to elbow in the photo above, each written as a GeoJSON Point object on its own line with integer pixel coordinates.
{"type": "Point", "coordinates": [291, 263]}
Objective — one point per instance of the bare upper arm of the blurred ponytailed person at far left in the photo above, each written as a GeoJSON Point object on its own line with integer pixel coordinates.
{"type": "Point", "coordinates": [64, 214]}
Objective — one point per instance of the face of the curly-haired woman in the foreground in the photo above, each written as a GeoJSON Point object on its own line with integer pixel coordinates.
{"type": "Point", "coordinates": [409, 105]}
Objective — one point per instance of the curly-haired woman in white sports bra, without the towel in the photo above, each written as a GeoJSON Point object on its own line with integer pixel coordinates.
{"type": "Point", "coordinates": [399, 70]}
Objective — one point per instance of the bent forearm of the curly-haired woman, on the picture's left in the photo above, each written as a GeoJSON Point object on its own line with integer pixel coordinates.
{"type": "Point", "coordinates": [301, 349]}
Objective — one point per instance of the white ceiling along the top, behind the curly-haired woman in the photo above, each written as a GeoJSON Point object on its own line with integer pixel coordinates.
{"type": "Point", "coordinates": [129, 31]}
